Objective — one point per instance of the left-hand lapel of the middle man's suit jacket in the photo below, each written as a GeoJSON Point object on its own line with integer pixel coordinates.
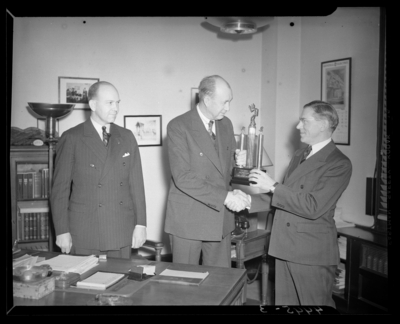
{"type": "Point", "coordinates": [204, 141]}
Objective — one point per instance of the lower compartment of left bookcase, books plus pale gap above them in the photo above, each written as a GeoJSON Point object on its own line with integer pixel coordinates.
{"type": "Point", "coordinates": [33, 220]}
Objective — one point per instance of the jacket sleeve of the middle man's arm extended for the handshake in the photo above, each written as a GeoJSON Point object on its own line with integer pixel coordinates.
{"type": "Point", "coordinates": [187, 180]}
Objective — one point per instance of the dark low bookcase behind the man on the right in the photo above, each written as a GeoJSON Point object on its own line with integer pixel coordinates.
{"type": "Point", "coordinates": [365, 265]}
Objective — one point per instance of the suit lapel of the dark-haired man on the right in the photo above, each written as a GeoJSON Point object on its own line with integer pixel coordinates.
{"type": "Point", "coordinates": [314, 162]}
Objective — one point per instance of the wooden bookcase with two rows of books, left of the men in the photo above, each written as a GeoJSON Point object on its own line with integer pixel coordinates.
{"type": "Point", "coordinates": [30, 210]}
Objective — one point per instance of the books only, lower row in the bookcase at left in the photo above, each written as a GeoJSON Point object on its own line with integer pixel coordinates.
{"type": "Point", "coordinates": [33, 226]}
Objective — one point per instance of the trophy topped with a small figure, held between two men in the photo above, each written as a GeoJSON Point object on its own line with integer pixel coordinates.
{"type": "Point", "coordinates": [252, 143]}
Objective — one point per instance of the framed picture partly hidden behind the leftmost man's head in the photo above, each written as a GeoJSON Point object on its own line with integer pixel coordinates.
{"type": "Point", "coordinates": [75, 90]}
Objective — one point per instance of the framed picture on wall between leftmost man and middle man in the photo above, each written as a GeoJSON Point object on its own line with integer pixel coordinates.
{"type": "Point", "coordinates": [146, 129]}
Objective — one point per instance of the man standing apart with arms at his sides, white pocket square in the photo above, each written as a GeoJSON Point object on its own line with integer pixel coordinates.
{"type": "Point", "coordinates": [97, 200]}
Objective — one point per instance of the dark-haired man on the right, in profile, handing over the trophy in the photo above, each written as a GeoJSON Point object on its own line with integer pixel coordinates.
{"type": "Point", "coordinates": [304, 238]}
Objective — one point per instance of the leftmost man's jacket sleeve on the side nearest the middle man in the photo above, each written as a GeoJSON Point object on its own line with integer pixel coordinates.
{"type": "Point", "coordinates": [137, 184]}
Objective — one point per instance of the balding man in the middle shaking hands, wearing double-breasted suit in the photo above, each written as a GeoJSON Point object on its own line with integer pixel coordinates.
{"type": "Point", "coordinates": [201, 157]}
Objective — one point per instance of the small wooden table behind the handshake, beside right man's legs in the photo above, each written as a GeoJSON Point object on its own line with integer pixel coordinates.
{"type": "Point", "coordinates": [251, 246]}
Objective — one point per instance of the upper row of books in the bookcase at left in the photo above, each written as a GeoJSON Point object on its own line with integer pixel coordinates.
{"type": "Point", "coordinates": [33, 184]}
